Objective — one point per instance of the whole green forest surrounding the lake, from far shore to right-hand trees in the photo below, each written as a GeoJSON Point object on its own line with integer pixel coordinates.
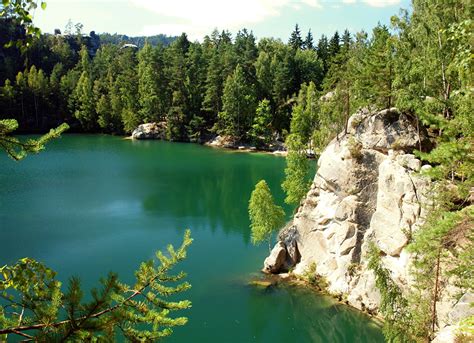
{"type": "Point", "coordinates": [257, 90]}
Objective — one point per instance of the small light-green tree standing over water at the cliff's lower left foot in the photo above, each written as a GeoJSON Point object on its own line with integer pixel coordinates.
{"type": "Point", "coordinates": [265, 216]}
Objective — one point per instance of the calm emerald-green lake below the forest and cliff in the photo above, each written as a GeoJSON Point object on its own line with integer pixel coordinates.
{"type": "Point", "coordinates": [91, 204]}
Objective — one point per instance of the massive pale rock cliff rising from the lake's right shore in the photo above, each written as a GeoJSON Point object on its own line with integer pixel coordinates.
{"type": "Point", "coordinates": [366, 189]}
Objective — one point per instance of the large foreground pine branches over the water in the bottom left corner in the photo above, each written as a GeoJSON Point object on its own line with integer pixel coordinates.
{"type": "Point", "coordinates": [36, 308]}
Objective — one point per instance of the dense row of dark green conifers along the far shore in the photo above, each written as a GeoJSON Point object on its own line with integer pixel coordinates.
{"type": "Point", "coordinates": [216, 85]}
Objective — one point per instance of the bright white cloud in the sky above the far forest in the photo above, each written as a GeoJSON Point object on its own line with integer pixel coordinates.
{"type": "Point", "coordinates": [200, 17]}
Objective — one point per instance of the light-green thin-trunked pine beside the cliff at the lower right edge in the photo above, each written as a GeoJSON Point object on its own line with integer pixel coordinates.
{"type": "Point", "coordinates": [441, 249]}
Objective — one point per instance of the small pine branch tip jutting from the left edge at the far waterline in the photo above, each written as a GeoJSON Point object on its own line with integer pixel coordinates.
{"type": "Point", "coordinates": [17, 149]}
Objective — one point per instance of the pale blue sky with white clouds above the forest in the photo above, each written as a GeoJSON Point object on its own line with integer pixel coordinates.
{"type": "Point", "coordinates": [266, 18]}
